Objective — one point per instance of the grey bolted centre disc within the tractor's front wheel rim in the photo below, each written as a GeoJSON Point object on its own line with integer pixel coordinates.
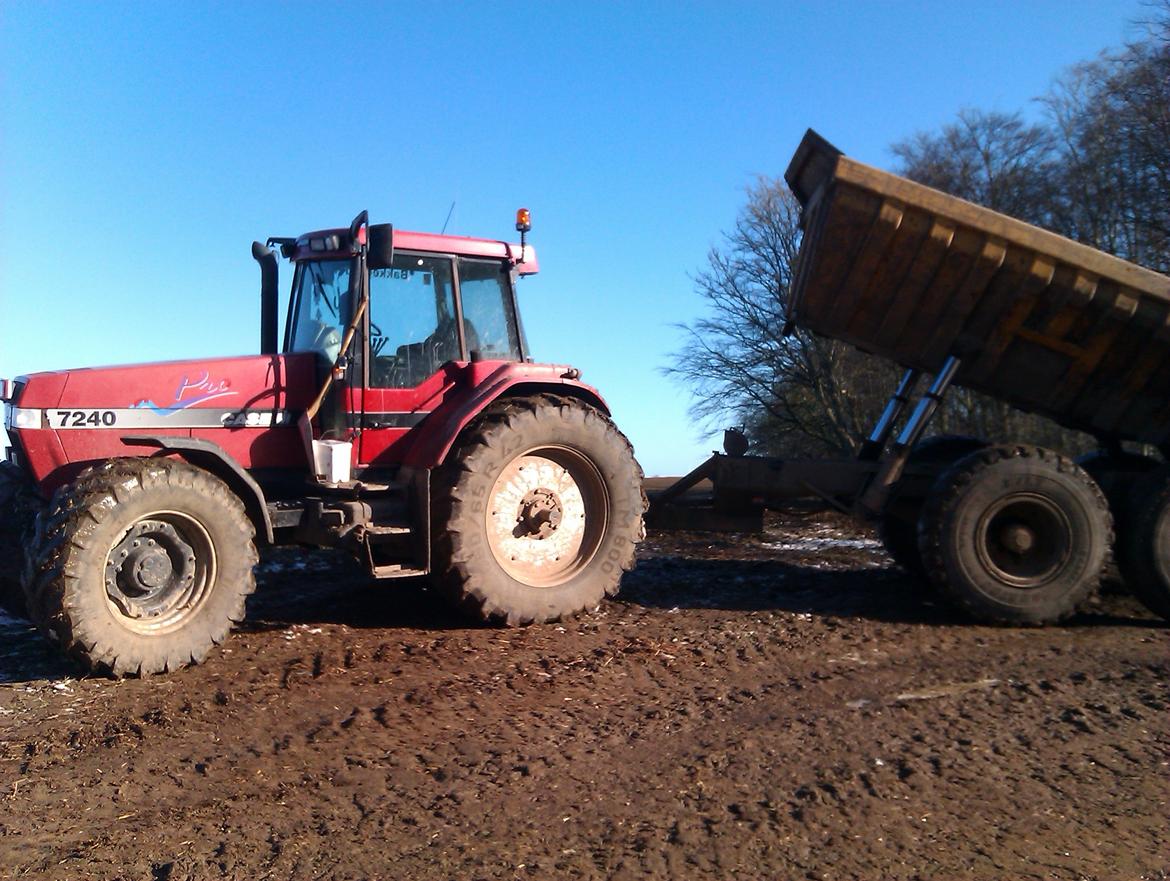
{"type": "Point", "coordinates": [152, 572]}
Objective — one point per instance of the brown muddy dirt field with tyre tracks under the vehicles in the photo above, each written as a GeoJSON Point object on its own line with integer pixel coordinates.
{"type": "Point", "coordinates": [776, 707]}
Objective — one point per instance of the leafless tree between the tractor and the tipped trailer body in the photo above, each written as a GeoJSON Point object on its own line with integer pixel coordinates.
{"type": "Point", "coordinates": [796, 393]}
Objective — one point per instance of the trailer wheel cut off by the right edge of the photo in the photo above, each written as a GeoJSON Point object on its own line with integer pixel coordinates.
{"type": "Point", "coordinates": [1144, 553]}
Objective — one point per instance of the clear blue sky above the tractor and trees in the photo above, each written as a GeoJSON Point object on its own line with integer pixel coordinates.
{"type": "Point", "coordinates": [143, 147]}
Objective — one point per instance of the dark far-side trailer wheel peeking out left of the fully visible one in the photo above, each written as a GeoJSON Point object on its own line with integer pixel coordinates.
{"type": "Point", "coordinates": [899, 526]}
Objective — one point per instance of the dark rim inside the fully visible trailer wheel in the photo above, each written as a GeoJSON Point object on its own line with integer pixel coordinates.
{"type": "Point", "coordinates": [1024, 540]}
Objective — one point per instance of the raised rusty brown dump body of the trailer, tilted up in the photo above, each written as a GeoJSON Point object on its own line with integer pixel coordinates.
{"type": "Point", "coordinates": [1037, 320]}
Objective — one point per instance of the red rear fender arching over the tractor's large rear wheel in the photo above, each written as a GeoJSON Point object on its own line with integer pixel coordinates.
{"type": "Point", "coordinates": [491, 382]}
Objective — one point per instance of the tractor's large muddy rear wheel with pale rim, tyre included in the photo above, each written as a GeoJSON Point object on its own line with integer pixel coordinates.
{"type": "Point", "coordinates": [538, 512]}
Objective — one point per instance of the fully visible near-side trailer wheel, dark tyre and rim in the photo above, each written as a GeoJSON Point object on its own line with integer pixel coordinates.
{"type": "Point", "coordinates": [1016, 535]}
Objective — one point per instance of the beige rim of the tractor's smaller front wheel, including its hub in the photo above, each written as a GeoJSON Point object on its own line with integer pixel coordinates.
{"type": "Point", "coordinates": [160, 572]}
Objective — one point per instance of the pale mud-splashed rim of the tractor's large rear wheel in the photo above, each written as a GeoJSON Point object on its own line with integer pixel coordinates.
{"type": "Point", "coordinates": [547, 515]}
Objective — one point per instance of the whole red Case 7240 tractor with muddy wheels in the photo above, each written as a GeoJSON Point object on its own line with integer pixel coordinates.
{"type": "Point", "coordinates": [402, 421]}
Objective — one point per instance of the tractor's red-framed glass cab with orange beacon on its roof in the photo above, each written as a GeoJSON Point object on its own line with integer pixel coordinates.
{"type": "Point", "coordinates": [393, 319]}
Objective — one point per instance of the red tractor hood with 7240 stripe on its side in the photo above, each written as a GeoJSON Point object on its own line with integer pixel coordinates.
{"type": "Point", "coordinates": [203, 394]}
